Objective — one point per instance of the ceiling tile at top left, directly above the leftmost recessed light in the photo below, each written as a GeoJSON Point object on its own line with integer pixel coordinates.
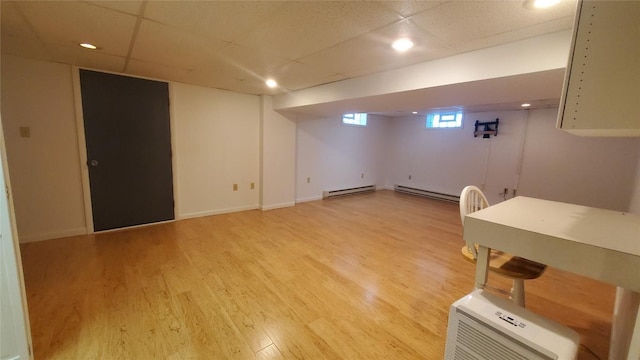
{"type": "Point", "coordinates": [61, 22]}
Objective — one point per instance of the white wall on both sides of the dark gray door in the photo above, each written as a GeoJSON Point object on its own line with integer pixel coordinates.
{"type": "Point", "coordinates": [216, 136]}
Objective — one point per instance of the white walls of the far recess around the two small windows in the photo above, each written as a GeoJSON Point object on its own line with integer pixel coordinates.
{"type": "Point", "coordinates": [551, 164]}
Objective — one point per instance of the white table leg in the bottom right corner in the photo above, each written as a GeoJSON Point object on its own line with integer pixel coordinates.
{"type": "Point", "coordinates": [625, 327]}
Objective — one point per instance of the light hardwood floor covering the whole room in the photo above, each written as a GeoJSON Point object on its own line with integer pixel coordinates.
{"type": "Point", "coordinates": [366, 276]}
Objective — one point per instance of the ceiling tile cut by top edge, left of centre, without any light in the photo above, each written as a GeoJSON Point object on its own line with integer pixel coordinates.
{"type": "Point", "coordinates": [223, 20]}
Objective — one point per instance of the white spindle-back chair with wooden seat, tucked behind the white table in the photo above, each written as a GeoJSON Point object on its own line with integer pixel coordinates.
{"type": "Point", "coordinates": [516, 268]}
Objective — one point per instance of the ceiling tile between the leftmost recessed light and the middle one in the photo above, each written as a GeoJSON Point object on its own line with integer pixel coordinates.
{"type": "Point", "coordinates": [162, 44]}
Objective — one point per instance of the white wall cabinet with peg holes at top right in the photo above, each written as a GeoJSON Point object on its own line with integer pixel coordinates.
{"type": "Point", "coordinates": [601, 95]}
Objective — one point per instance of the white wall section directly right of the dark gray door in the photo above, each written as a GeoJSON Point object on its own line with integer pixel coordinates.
{"type": "Point", "coordinates": [217, 145]}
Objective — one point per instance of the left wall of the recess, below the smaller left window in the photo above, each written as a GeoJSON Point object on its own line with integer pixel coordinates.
{"type": "Point", "coordinates": [334, 156]}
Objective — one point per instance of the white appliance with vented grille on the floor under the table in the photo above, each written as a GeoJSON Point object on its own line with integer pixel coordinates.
{"type": "Point", "coordinates": [483, 326]}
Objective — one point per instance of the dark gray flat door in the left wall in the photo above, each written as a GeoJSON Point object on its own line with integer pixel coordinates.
{"type": "Point", "coordinates": [128, 138]}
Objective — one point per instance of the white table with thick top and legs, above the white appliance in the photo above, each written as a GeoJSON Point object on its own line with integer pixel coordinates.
{"type": "Point", "coordinates": [601, 244]}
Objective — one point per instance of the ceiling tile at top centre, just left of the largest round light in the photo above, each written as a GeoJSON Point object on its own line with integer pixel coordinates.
{"type": "Point", "coordinates": [305, 27]}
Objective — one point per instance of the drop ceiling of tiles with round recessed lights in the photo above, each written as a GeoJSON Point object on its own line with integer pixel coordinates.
{"type": "Point", "coordinates": [236, 45]}
